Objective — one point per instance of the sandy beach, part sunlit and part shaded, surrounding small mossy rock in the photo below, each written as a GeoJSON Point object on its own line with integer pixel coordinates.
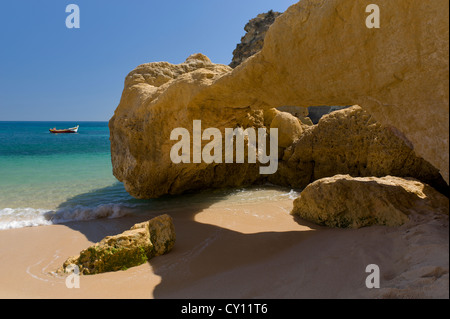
{"type": "Point", "coordinates": [252, 250]}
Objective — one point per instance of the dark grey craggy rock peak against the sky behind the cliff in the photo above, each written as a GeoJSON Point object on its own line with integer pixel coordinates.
{"type": "Point", "coordinates": [253, 41]}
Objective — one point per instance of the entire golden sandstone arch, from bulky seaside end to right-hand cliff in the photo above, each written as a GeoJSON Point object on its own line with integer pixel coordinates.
{"type": "Point", "coordinates": [316, 53]}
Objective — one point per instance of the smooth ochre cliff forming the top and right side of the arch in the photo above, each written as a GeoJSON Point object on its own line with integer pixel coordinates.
{"type": "Point", "coordinates": [322, 53]}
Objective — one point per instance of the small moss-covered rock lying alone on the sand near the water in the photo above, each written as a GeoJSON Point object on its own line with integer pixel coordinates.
{"type": "Point", "coordinates": [128, 249]}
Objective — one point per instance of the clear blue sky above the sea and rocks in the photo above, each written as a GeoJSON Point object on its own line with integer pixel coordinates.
{"type": "Point", "coordinates": [51, 73]}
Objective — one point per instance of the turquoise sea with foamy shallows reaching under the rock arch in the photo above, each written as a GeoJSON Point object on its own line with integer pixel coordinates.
{"type": "Point", "coordinates": [53, 178]}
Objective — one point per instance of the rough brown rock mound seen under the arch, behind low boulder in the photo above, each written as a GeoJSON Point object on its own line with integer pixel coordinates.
{"type": "Point", "coordinates": [350, 141]}
